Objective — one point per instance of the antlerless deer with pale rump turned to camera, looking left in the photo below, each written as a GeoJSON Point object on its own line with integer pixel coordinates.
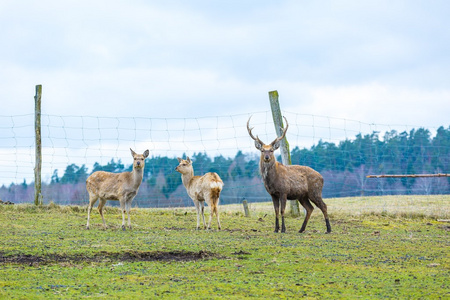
{"type": "Point", "coordinates": [201, 189]}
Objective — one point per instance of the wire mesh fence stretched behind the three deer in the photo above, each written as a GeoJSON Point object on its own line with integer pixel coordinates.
{"type": "Point", "coordinates": [343, 151]}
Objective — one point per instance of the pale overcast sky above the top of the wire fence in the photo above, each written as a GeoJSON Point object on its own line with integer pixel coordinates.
{"type": "Point", "coordinates": [385, 62]}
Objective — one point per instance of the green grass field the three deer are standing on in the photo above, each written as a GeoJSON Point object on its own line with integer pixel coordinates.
{"type": "Point", "coordinates": [380, 247]}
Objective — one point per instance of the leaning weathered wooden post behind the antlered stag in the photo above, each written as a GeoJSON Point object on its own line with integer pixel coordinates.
{"type": "Point", "coordinates": [285, 153]}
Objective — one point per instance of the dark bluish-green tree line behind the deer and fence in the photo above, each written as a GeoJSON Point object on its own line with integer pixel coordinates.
{"type": "Point", "coordinates": [344, 167]}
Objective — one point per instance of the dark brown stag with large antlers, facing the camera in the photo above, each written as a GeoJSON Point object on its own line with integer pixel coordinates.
{"type": "Point", "coordinates": [289, 182]}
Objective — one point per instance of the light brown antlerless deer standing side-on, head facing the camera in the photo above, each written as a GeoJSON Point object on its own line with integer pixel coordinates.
{"type": "Point", "coordinates": [121, 187]}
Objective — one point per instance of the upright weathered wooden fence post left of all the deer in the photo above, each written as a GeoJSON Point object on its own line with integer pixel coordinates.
{"type": "Point", "coordinates": [38, 146]}
